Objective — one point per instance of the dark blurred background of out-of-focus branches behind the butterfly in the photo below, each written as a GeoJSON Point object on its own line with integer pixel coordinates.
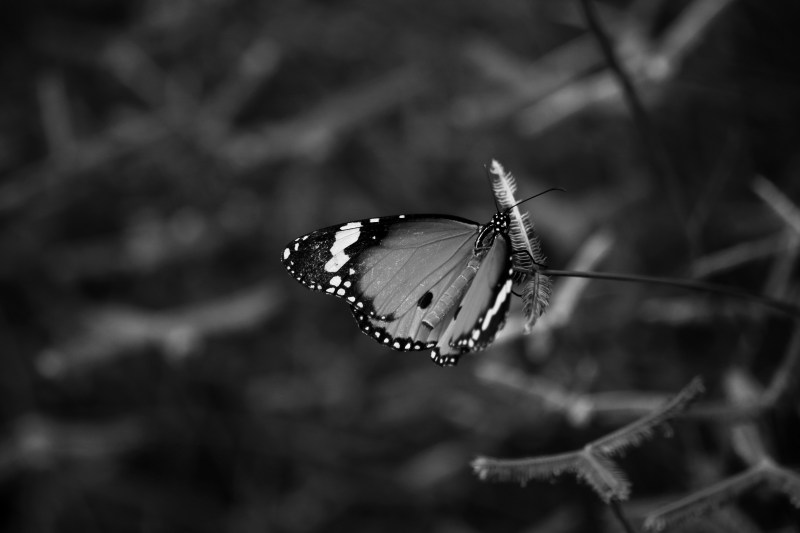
{"type": "Point", "coordinates": [159, 370]}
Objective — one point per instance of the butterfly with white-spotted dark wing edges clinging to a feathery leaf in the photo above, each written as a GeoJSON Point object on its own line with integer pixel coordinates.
{"type": "Point", "coordinates": [416, 282]}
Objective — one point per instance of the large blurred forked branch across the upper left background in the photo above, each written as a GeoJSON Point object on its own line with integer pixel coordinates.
{"type": "Point", "coordinates": [311, 135]}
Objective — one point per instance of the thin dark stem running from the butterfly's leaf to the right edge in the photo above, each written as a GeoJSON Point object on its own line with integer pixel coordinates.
{"type": "Point", "coordinates": [777, 305]}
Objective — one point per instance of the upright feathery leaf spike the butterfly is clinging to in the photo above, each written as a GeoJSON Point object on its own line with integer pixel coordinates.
{"type": "Point", "coordinates": [528, 257]}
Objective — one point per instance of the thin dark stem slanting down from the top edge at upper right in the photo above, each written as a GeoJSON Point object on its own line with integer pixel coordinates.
{"type": "Point", "coordinates": [654, 151]}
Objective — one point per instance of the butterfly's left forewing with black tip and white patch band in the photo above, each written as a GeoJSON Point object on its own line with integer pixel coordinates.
{"type": "Point", "coordinates": [382, 266]}
